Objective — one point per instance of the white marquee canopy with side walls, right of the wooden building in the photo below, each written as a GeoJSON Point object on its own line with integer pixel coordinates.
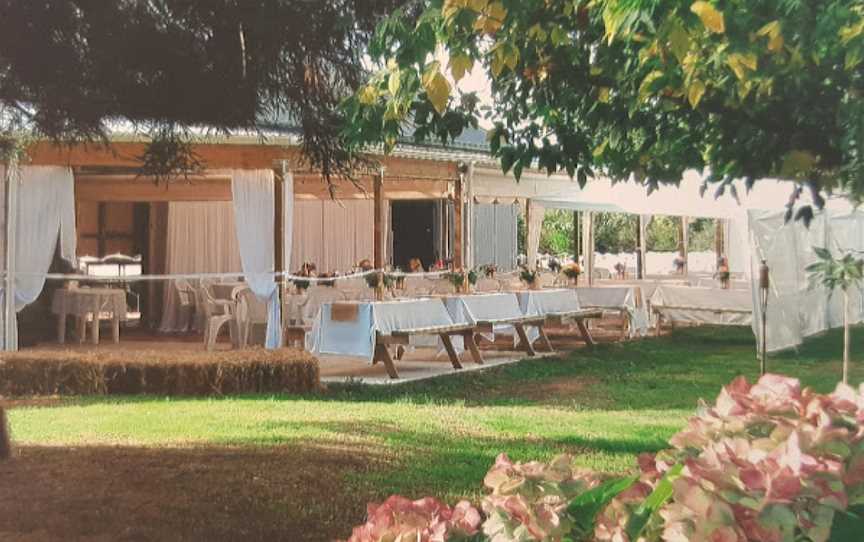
{"type": "Point", "coordinates": [756, 230]}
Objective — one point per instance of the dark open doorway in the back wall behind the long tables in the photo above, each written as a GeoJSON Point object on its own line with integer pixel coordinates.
{"type": "Point", "coordinates": [412, 232]}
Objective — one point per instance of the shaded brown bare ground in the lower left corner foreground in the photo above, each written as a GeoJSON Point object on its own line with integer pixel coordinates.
{"type": "Point", "coordinates": [107, 494]}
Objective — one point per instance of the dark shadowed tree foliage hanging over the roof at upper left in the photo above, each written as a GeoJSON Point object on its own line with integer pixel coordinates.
{"type": "Point", "coordinates": [68, 68]}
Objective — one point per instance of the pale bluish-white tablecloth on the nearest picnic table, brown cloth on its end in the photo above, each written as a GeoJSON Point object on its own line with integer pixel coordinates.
{"type": "Point", "coordinates": [356, 338]}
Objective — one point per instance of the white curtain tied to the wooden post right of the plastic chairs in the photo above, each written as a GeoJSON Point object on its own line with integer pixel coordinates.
{"type": "Point", "coordinates": [254, 210]}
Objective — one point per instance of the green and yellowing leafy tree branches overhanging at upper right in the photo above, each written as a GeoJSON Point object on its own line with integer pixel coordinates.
{"type": "Point", "coordinates": [745, 88]}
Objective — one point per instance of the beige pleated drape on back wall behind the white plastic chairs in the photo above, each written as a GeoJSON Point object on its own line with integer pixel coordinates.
{"type": "Point", "coordinates": [201, 238]}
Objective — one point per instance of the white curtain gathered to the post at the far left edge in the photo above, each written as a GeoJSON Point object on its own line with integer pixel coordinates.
{"type": "Point", "coordinates": [44, 209]}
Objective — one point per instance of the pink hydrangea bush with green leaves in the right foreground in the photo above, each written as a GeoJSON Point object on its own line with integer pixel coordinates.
{"type": "Point", "coordinates": [768, 462]}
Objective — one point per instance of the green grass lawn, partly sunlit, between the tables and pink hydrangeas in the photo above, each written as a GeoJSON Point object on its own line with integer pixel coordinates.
{"type": "Point", "coordinates": [604, 406]}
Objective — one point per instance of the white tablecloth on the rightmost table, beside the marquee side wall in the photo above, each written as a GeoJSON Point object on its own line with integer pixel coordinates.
{"type": "Point", "coordinates": [705, 305]}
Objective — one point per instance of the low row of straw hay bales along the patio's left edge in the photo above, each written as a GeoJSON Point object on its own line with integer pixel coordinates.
{"type": "Point", "coordinates": [158, 372]}
